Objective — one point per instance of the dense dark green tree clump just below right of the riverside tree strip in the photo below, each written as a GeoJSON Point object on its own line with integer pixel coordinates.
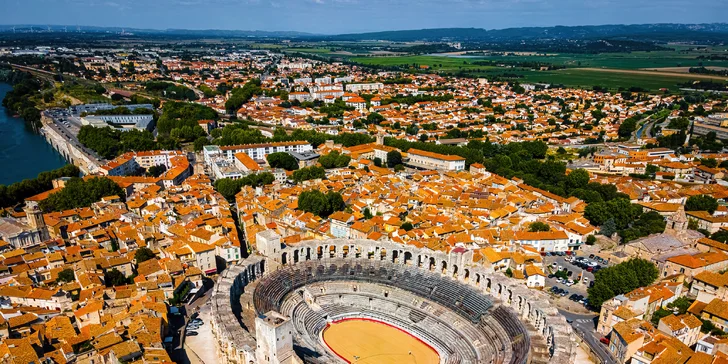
{"type": "Point", "coordinates": [81, 193]}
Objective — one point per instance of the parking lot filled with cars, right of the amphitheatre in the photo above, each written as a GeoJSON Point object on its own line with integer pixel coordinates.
{"type": "Point", "coordinates": [579, 277]}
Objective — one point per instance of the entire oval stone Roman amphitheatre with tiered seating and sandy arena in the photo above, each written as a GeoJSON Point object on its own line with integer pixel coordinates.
{"type": "Point", "coordinates": [364, 301]}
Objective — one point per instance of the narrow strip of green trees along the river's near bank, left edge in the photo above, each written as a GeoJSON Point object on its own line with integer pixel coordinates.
{"type": "Point", "coordinates": [15, 193]}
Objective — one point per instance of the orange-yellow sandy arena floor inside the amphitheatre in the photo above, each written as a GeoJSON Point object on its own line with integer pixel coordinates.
{"type": "Point", "coordinates": [368, 342]}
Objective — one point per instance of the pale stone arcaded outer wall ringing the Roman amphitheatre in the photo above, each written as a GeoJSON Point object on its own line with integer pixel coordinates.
{"type": "Point", "coordinates": [237, 345]}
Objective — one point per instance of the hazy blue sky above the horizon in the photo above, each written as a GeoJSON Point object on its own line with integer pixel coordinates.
{"type": "Point", "coordinates": [344, 16]}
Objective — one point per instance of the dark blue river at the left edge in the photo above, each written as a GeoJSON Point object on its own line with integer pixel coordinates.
{"type": "Point", "coordinates": [23, 153]}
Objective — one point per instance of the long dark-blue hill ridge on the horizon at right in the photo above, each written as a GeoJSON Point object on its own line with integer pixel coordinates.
{"type": "Point", "coordinates": [652, 32]}
